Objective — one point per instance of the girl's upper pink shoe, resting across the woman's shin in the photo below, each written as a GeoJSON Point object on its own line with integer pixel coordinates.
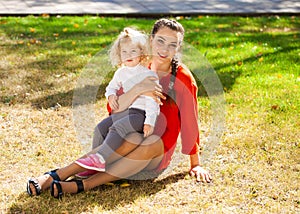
{"type": "Point", "coordinates": [92, 162]}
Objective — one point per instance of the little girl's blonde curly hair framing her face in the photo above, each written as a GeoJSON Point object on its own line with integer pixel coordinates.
{"type": "Point", "coordinates": [129, 35]}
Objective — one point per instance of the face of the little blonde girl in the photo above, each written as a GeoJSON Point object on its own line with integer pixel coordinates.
{"type": "Point", "coordinates": [130, 53]}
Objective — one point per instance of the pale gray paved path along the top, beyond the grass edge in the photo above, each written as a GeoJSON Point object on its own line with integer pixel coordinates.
{"type": "Point", "coordinates": [149, 7]}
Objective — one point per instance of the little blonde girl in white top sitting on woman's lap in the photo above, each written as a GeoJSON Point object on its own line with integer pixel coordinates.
{"type": "Point", "coordinates": [128, 52]}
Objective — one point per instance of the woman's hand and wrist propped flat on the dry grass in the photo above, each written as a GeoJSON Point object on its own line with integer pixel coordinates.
{"type": "Point", "coordinates": [196, 170]}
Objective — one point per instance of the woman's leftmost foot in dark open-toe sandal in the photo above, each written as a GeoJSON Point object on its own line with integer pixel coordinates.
{"type": "Point", "coordinates": [37, 185]}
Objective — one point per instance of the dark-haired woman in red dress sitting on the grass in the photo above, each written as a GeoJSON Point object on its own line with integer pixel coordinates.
{"type": "Point", "coordinates": [153, 154]}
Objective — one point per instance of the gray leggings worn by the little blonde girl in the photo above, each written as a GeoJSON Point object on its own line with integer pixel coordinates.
{"type": "Point", "coordinates": [109, 134]}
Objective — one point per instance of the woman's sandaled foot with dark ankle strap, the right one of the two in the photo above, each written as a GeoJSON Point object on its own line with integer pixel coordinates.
{"type": "Point", "coordinates": [59, 188]}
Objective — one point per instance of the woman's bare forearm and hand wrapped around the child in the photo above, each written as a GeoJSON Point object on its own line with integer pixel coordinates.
{"type": "Point", "coordinates": [147, 86]}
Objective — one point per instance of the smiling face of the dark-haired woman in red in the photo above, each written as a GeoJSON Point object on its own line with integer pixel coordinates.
{"type": "Point", "coordinates": [165, 44]}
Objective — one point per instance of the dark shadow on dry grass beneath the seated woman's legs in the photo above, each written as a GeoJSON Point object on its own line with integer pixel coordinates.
{"type": "Point", "coordinates": [104, 197]}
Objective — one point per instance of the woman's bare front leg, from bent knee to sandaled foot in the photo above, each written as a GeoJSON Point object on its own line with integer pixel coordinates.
{"type": "Point", "coordinates": [146, 156]}
